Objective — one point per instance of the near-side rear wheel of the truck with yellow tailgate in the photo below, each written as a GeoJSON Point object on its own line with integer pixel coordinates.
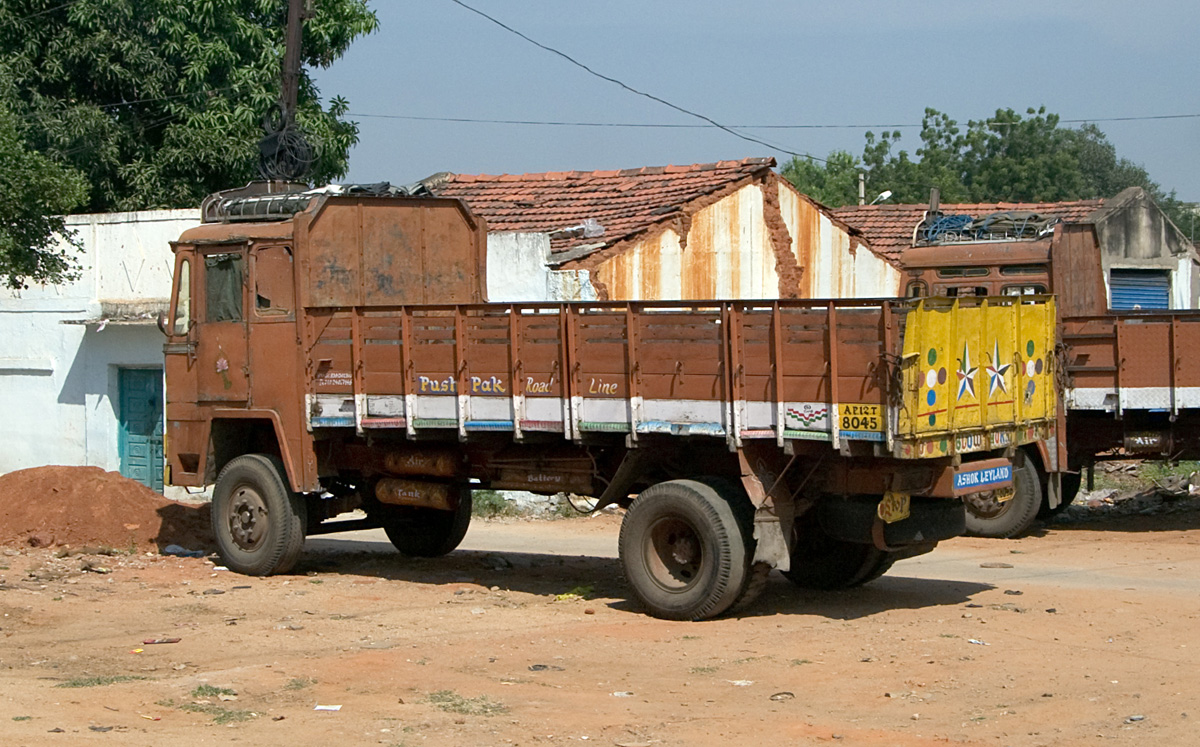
{"type": "Point", "coordinates": [686, 553]}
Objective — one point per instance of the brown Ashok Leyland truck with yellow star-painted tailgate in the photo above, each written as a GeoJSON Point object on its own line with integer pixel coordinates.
{"type": "Point", "coordinates": [331, 355]}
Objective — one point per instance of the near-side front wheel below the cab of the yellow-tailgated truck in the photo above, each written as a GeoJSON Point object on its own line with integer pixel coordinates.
{"type": "Point", "coordinates": [257, 521]}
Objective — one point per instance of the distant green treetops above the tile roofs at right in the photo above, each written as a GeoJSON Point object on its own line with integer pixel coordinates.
{"type": "Point", "coordinates": [1007, 158]}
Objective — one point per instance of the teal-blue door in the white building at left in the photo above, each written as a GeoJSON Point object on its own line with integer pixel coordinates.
{"type": "Point", "coordinates": [141, 423]}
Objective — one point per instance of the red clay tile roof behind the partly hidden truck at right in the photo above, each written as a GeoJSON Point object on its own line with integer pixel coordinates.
{"type": "Point", "coordinates": [890, 229]}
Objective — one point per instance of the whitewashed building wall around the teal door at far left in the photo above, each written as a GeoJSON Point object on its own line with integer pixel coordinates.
{"type": "Point", "coordinates": [59, 383]}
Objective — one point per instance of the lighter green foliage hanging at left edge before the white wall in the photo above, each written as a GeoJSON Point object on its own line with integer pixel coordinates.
{"type": "Point", "coordinates": [35, 194]}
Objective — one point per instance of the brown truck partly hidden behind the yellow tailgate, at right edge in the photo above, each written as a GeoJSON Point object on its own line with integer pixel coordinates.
{"type": "Point", "coordinates": [1131, 389]}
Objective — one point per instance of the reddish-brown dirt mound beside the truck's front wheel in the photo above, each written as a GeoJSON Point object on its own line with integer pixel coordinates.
{"type": "Point", "coordinates": [87, 506]}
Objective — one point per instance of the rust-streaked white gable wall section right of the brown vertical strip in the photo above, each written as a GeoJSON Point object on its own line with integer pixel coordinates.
{"type": "Point", "coordinates": [833, 266]}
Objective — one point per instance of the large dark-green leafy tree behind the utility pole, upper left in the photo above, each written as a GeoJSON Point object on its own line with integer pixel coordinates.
{"type": "Point", "coordinates": [160, 103]}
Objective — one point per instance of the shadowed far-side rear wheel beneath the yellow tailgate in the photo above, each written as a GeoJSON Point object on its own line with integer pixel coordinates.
{"type": "Point", "coordinates": [826, 564]}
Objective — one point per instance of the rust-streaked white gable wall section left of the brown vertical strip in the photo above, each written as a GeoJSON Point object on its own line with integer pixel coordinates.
{"type": "Point", "coordinates": [728, 255]}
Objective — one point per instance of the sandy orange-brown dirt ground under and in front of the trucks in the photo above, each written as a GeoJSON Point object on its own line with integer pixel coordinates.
{"type": "Point", "coordinates": [1084, 634]}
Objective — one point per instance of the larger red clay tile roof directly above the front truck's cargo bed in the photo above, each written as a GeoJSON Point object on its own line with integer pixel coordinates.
{"type": "Point", "coordinates": [623, 202]}
